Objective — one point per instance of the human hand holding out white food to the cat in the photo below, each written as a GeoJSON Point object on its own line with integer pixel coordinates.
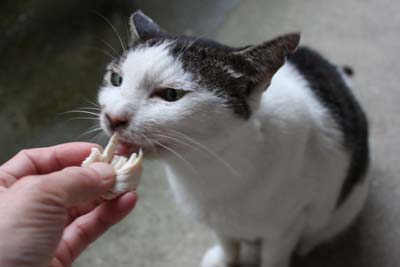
{"type": "Point", "coordinates": [50, 212]}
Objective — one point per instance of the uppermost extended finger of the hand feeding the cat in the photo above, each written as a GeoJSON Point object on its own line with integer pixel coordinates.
{"type": "Point", "coordinates": [43, 160]}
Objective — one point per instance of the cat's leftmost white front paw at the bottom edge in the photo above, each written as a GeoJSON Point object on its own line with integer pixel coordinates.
{"type": "Point", "coordinates": [224, 254]}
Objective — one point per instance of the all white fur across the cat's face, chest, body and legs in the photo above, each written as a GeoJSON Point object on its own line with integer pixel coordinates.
{"type": "Point", "coordinates": [274, 178]}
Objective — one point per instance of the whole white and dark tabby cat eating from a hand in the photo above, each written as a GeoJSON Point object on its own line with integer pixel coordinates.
{"type": "Point", "coordinates": [264, 144]}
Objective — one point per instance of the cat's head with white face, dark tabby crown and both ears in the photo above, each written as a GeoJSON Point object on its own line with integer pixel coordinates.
{"type": "Point", "coordinates": [168, 86]}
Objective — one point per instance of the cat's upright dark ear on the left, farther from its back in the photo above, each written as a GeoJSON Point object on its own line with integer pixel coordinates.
{"type": "Point", "coordinates": [143, 28]}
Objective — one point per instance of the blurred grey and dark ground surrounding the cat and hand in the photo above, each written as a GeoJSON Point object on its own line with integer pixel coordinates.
{"type": "Point", "coordinates": [52, 60]}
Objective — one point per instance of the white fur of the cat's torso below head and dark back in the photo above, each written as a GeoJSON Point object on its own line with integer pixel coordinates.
{"type": "Point", "coordinates": [287, 161]}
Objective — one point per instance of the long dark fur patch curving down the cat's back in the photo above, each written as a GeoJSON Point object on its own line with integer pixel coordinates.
{"type": "Point", "coordinates": [328, 85]}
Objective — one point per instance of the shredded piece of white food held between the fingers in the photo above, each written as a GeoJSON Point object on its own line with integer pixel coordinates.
{"type": "Point", "coordinates": [128, 170]}
